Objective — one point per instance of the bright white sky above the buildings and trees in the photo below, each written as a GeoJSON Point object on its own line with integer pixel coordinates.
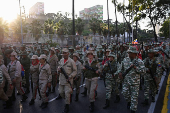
{"type": "Point", "coordinates": [10, 8]}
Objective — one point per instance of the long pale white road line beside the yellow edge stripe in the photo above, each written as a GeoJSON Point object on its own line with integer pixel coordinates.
{"type": "Point", "coordinates": [153, 104]}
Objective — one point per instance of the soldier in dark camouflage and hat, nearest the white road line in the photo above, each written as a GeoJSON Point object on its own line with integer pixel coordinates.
{"type": "Point", "coordinates": [153, 66]}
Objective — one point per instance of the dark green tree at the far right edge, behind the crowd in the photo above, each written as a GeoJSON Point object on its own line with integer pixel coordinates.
{"type": "Point", "coordinates": [165, 29]}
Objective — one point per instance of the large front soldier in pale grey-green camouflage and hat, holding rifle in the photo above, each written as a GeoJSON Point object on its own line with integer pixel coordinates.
{"type": "Point", "coordinates": [131, 80]}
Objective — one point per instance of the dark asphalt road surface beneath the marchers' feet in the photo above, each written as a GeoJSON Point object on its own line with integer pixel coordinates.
{"type": "Point", "coordinates": [82, 106]}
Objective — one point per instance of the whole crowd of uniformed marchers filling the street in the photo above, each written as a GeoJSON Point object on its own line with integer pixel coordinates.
{"type": "Point", "coordinates": [123, 67]}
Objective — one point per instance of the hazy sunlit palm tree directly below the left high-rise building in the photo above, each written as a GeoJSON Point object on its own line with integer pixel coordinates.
{"type": "Point", "coordinates": [35, 29]}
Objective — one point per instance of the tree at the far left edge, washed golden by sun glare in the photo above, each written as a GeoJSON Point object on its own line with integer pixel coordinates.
{"type": "Point", "coordinates": [3, 30]}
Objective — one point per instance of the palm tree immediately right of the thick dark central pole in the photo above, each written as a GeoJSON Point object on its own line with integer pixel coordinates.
{"type": "Point", "coordinates": [79, 24]}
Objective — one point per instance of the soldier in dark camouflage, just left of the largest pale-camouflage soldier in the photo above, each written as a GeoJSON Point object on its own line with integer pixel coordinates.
{"type": "Point", "coordinates": [110, 68]}
